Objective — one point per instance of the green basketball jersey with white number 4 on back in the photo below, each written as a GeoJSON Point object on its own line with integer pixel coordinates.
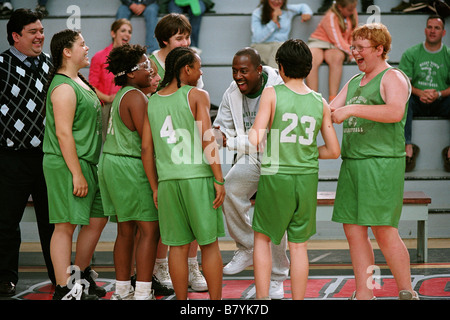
{"type": "Point", "coordinates": [176, 138]}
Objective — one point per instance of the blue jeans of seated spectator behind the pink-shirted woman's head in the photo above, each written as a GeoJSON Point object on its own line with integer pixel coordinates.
{"type": "Point", "coordinates": [150, 15]}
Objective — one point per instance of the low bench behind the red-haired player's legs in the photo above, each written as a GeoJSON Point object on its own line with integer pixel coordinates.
{"type": "Point", "coordinates": [415, 208]}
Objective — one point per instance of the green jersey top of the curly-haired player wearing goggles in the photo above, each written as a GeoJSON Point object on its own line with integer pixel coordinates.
{"type": "Point", "coordinates": [119, 139]}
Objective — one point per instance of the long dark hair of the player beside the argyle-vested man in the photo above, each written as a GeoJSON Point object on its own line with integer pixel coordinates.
{"type": "Point", "coordinates": [60, 41]}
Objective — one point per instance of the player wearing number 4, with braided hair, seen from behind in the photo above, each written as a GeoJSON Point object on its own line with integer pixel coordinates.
{"type": "Point", "coordinates": [182, 163]}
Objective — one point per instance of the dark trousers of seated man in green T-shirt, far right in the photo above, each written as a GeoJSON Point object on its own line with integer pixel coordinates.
{"type": "Point", "coordinates": [416, 108]}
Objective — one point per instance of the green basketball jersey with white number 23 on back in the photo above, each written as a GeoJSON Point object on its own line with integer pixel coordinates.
{"type": "Point", "coordinates": [291, 142]}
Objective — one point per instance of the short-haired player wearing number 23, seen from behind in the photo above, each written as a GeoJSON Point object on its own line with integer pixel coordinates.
{"type": "Point", "coordinates": [287, 189]}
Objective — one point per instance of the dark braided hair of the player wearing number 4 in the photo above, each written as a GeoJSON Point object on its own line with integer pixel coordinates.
{"type": "Point", "coordinates": [175, 60]}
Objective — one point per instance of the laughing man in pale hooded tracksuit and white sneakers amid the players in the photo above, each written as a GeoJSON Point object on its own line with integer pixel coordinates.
{"type": "Point", "coordinates": [235, 117]}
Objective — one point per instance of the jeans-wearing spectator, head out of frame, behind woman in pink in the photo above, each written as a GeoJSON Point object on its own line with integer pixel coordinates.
{"type": "Point", "coordinates": [149, 9]}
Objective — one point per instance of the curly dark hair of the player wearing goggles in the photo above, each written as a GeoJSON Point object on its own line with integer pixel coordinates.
{"type": "Point", "coordinates": [124, 58]}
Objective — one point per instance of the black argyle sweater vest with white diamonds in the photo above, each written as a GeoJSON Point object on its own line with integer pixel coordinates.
{"type": "Point", "coordinates": [22, 95]}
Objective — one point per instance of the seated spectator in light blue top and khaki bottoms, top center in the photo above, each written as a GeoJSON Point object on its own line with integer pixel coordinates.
{"type": "Point", "coordinates": [271, 26]}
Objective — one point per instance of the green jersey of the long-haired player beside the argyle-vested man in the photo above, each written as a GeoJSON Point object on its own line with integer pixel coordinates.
{"type": "Point", "coordinates": [87, 123]}
